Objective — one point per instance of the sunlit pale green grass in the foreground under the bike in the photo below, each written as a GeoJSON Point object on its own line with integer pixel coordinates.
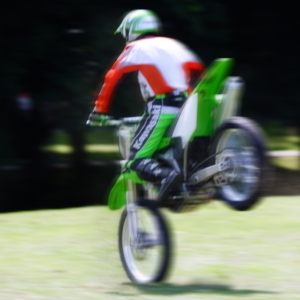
{"type": "Point", "coordinates": [219, 254]}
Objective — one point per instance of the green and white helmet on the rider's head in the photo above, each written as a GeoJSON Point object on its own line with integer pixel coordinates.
{"type": "Point", "coordinates": [137, 23]}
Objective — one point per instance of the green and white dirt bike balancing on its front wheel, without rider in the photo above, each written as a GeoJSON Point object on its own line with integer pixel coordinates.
{"type": "Point", "coordinates": [219, 154]}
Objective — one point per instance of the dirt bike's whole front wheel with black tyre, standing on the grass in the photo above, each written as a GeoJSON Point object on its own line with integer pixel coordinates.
{"type": "Point", "coordinates": [146, 256]}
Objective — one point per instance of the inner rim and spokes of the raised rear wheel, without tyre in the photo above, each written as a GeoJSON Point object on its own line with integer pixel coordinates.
{"type": "Point", "coordinates": [236, 149]}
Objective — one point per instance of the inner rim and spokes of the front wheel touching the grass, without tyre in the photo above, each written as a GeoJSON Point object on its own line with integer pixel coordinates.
{"type": "Point", "coordinates": [143, 254]}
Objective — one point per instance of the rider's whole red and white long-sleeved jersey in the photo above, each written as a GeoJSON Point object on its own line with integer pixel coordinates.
{"type": "Point", "coordinates": [163, 65]}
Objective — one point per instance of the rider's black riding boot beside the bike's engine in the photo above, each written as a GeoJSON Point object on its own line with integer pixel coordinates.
{"type": "Point", "coordinates": [151, 171]}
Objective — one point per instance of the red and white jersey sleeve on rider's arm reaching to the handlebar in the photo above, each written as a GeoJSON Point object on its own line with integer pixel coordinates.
{"type": "Point", "coordinates": [122, 65]}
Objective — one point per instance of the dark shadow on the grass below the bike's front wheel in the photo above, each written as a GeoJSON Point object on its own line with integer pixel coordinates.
{"type": "Point", "coordinates": [201, 288]}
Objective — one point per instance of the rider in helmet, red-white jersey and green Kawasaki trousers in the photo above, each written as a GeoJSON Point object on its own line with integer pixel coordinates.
{"type": "Point", "coordinates": [167, 71]}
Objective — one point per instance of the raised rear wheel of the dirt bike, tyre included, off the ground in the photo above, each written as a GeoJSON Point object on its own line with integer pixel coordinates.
{"type": "Point", "coordinates": [239, 146]}
